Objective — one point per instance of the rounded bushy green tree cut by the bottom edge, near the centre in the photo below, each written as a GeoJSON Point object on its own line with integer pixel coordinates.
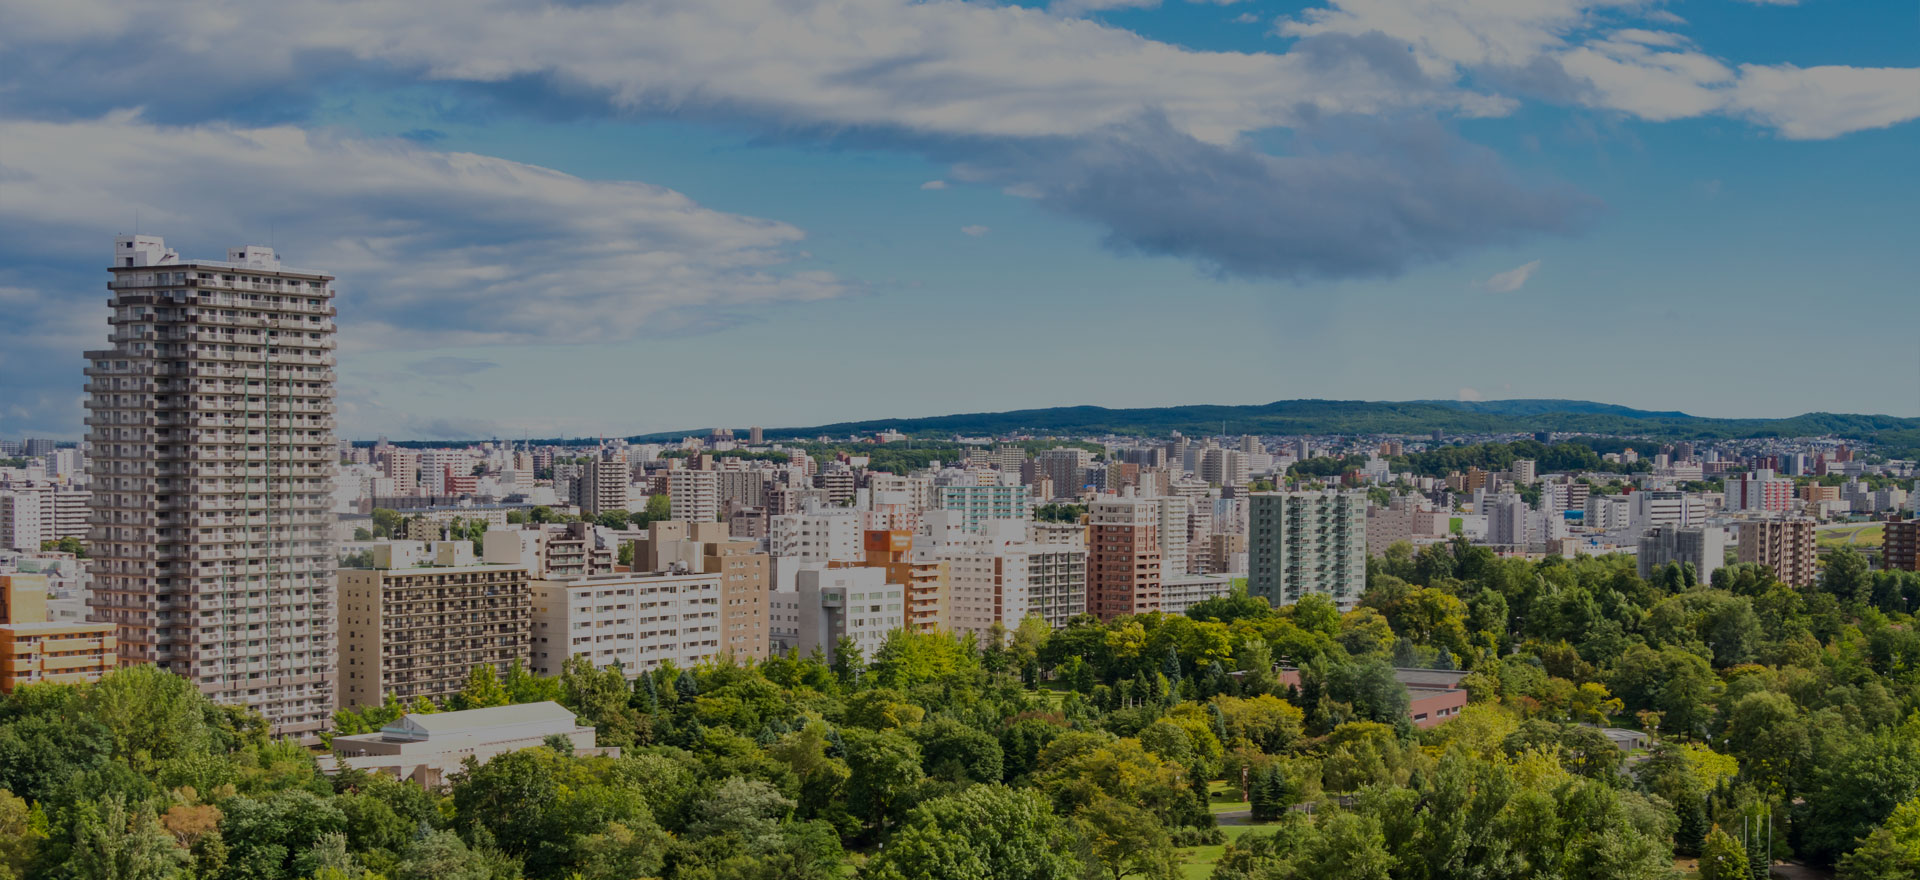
{"type": "Point", "coordinates": [982, 833]}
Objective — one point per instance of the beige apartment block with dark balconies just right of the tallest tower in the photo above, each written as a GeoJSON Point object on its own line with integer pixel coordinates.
{"type": "Point", "coordinates": [418, 631]}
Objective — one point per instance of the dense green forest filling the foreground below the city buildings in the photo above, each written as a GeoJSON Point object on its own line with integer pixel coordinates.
{"type": "Point", "coordinates": [1781, 725]}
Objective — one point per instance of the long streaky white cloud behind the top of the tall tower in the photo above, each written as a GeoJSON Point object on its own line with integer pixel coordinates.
{"type": "Point", "coordinates": [431, 247]}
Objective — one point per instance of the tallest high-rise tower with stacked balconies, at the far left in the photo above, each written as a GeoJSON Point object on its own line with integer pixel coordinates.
{"type": "Point", "coordinates": [212, 458]}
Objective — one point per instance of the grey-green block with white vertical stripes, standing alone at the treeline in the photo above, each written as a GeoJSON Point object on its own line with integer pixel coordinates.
{"type": "Point", "coordinates": [1308, 543]}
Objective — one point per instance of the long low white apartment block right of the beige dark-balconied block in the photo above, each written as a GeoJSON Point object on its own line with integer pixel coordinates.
{"type": "Point", "coordinates": [638, 622]}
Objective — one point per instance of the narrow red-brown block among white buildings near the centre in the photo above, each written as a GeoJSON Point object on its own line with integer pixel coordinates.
{"type": "Point", "coordinates": [1124, 556]}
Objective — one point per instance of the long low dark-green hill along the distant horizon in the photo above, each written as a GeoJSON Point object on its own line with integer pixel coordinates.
{"type": "Point", "coordinates": [1368, 418]}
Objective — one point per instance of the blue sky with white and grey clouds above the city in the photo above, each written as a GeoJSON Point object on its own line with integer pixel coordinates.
{"type": "Point", "coordinates": [623, 216]}
